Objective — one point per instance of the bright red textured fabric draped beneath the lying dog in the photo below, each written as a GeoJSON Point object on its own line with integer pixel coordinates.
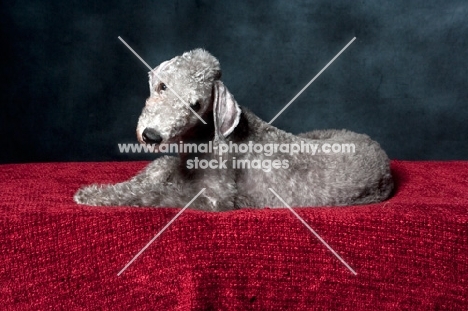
{"type": "Point", "coordinates": [410, 253]}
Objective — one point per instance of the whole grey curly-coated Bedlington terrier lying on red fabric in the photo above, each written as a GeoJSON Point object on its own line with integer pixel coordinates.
{"type": "Point", "coordinates": [242, 156]}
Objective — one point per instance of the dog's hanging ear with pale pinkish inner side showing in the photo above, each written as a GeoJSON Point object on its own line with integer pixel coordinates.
{"type": "Point", "coordinates": [226, 111]}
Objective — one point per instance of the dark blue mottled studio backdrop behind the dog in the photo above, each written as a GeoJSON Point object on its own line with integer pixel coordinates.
{"type": "Point", "coordinates": [70, 90]}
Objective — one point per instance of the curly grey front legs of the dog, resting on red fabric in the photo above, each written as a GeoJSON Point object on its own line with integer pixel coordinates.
{"type": "Point", "coordinates": [163, 183]}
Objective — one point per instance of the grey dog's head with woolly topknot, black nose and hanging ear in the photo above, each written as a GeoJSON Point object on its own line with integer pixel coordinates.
{"type": "Point", "coordinates": [184, 90]}
